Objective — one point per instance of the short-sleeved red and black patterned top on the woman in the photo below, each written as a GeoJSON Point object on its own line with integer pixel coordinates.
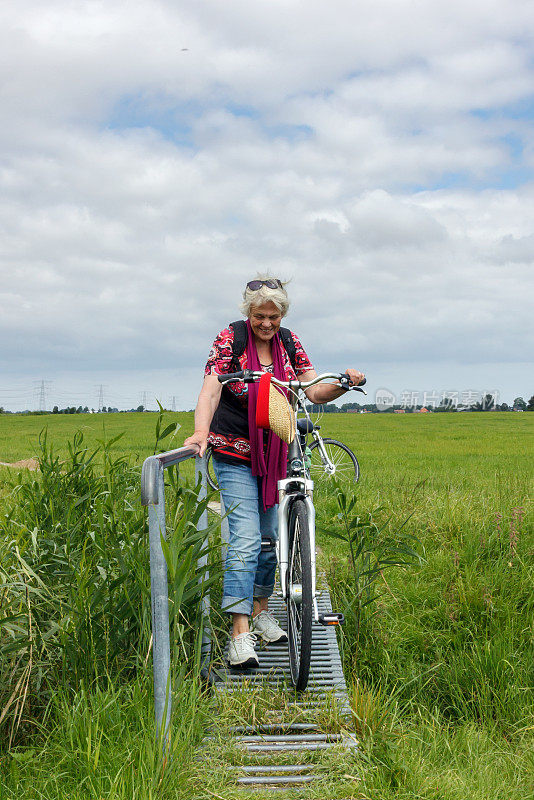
{"type": "Point", "coordinates": [229, 434]}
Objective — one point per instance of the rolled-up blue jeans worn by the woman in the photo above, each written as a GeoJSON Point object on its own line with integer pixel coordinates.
{"type": "Point", "coordinates": [249, 572]}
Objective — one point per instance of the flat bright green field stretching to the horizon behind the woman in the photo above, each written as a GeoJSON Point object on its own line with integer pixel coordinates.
{"type": "Point", "coordinates": [391, 448]}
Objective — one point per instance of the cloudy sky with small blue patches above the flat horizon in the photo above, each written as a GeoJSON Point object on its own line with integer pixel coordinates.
{"type": "Point", "coordinates": [155, 155]}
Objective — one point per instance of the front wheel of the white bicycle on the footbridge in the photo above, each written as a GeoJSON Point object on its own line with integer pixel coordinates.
{"type": "Point", "coordinates": [299, 599]}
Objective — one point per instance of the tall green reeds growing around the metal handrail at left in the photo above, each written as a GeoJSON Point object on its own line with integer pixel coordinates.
{"type": "Point", "coordinates": [75, 582]}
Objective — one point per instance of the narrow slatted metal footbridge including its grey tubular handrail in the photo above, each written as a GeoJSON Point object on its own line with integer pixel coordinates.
{"type": "Point", "coordinates": [274, 754]}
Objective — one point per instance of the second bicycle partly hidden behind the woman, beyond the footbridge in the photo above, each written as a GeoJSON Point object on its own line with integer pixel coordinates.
{"type": "Point", "coordinates": [328, 457]}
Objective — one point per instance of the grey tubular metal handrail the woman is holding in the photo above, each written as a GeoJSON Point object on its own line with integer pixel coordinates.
{"type": "Point", "coordinates": [153, 496]}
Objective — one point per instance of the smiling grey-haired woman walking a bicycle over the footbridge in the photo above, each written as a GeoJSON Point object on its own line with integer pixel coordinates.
{"type": "Point", "coordinates": [249, 462]}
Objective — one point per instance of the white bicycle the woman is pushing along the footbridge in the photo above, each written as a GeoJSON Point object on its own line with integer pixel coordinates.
{"type": "Point", "coordinates": [296, 532]}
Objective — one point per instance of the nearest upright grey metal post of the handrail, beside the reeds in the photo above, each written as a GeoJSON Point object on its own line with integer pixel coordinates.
{"type": "Point", "coordinates": [161, 645]}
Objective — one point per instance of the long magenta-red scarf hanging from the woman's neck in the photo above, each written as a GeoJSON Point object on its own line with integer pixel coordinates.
{"type": "Point", "coordinates": [271, 464]}
